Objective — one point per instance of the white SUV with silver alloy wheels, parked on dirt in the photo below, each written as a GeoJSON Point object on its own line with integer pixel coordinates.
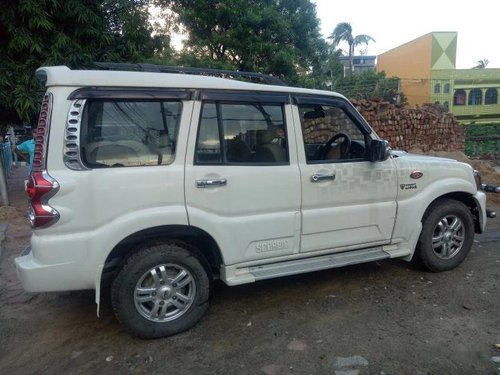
{"type": "Point", "coordinates": [158, 183]}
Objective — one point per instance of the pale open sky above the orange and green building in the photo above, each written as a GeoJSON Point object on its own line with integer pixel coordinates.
{"type": "Point", "coordinates": [393, 23]}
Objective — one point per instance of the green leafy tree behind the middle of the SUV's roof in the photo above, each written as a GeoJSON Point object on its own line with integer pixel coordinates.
{"type": "Point", "coordinates": [275, 37]}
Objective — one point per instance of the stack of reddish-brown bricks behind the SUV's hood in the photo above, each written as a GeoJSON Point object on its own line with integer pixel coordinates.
{"type": "Point", "coordinates": [427, 128]}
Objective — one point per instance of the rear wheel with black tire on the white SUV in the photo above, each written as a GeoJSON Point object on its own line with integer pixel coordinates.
{"type": "Point", "coordinates": [161, 290]}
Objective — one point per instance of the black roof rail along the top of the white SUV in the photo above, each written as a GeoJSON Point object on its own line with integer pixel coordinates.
{"type": "Point", "coordinates": [251, 76]}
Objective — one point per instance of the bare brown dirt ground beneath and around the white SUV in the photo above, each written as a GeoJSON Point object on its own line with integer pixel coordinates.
{"type": "Point", "coordinates": [377, 318]}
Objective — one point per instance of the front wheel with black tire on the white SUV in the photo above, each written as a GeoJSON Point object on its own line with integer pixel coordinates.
{"type": "Point", "coordinates": [446, 237]}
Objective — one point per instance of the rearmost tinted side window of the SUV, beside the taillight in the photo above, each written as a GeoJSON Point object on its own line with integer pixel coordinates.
{"type": "Point", "coordinates": [129, 133]}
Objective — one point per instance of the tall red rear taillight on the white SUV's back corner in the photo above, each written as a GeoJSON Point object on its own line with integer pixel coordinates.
{"type": "Point", "coordinates": [40, 186]}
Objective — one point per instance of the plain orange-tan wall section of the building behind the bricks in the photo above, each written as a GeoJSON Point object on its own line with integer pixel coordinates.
{"type": "Point", "coordinates": [411, 62]}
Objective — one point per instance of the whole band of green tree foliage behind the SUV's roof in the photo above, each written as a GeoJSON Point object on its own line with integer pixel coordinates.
{"type": "Point", "coordinates": [278, 37]}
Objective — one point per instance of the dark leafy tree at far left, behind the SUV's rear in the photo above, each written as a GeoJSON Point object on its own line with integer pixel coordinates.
{"type": "Point", "coordinates": [69, 32]}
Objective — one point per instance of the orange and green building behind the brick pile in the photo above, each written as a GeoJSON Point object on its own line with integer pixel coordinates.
{"type": "Point", "coordinates": [426, 69]}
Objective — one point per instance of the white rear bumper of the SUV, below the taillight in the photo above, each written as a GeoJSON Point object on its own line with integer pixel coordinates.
{"type": "Point", "coordinates": [38, 277]}
